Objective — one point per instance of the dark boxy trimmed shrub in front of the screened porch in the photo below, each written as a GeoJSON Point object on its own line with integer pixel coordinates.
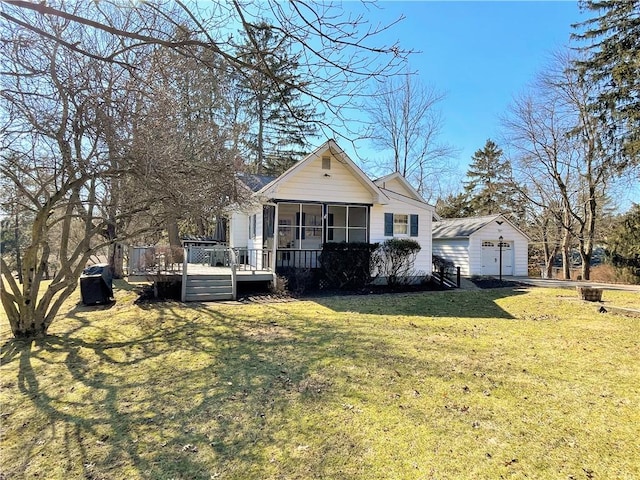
{"type": "Point", "coordinates": [347, 265]}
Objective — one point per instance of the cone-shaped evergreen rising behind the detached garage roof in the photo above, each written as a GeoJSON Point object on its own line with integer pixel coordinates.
{"type": "Point", "coordinates": [489, 188]}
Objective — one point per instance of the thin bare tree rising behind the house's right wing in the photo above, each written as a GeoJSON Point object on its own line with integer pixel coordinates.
{"type": "Point", "coordinates": [405, 121]}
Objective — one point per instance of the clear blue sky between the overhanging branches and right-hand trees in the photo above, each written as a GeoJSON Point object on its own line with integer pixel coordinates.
{"type": "Point", "coordinates": [480, 53]}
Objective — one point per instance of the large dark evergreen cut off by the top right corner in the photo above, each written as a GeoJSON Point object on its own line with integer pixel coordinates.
{"type": "Point", "coordinates": [613, 63]}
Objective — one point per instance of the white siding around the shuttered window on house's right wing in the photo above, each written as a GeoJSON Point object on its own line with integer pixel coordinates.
{"type": "Point", "coordinates": [423, 262]}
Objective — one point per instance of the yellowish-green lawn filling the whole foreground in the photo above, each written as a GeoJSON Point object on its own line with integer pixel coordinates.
{"type": "Point", "coordinates": [439, 385]}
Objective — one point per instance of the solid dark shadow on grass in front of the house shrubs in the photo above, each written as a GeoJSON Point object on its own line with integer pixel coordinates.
{"type": "Point", "coordinates": [450, 304]}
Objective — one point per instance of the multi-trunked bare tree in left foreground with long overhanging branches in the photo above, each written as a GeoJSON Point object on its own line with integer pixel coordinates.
{"type": "Point", "coordinates": [83, 128]}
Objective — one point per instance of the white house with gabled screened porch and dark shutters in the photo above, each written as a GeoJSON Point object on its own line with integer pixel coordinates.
{"type": "Point", "coordinates": [326, 198]}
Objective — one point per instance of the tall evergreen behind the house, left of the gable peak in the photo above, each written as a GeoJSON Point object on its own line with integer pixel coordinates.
{"type": "Point", "coordinates": [282, 122]}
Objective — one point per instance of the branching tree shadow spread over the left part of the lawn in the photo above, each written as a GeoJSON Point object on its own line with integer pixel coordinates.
{"type": "Point", "coordinates": [187, 397]}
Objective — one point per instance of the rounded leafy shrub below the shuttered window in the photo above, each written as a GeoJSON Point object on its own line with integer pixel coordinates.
{"type": "Point", "coordinates": [394, 259]}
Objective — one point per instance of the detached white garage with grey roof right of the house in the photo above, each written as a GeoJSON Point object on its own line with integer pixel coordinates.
{"type": "Point", "coordinates": [474, 244]}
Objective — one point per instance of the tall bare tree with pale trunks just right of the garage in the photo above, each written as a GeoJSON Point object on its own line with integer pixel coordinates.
{"type": "Point", "coordinates": [562, 152]}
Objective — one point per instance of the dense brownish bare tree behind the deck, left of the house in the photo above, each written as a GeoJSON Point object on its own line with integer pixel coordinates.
{"type": "Point", "coordinates": [185, 142]}
